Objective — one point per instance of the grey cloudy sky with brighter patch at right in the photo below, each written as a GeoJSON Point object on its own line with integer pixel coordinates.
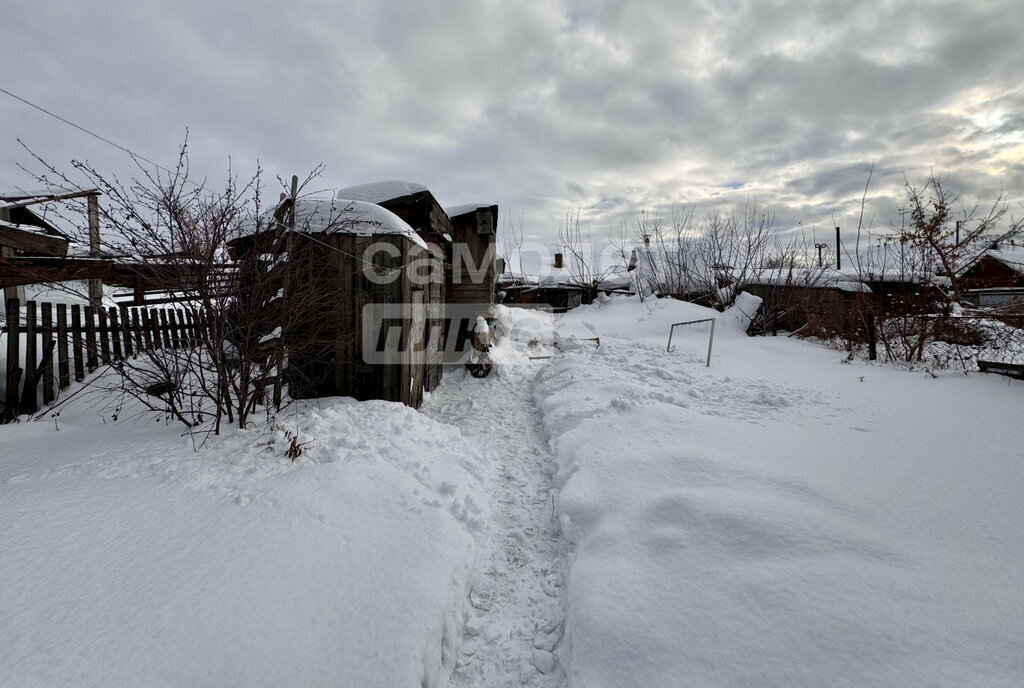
{"type": "Point", "coordinates": [543, 107]}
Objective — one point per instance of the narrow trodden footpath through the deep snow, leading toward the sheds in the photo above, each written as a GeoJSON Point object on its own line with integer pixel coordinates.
{"type": "Point", "coordinates": [518, 600]}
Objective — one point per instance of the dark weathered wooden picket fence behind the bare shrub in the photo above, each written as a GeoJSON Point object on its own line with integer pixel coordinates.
{"type": "Point", "coordinates": [65, 343]}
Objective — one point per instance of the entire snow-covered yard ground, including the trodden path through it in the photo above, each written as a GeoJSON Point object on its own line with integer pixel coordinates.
{"type": "Point", "coordinates": [618, 515]}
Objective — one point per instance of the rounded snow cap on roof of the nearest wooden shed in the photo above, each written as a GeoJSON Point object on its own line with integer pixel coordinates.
{"type": "Point", "coordinates": [351, 218]}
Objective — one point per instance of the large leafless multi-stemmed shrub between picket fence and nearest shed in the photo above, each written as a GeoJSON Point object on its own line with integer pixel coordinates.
{"type": "Point", "coordinates": [176, 233]}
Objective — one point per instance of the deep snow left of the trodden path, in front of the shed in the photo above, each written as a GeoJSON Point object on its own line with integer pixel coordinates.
{"type": "Point", "coordinates": [131, 561]}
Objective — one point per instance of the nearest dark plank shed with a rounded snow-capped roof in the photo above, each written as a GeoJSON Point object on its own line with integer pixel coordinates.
{"type": "Point", "coordinates": [380, 287]}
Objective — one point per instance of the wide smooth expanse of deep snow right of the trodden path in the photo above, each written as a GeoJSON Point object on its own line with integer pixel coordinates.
{"type": "Point", "coordinates": [781, 520]}
